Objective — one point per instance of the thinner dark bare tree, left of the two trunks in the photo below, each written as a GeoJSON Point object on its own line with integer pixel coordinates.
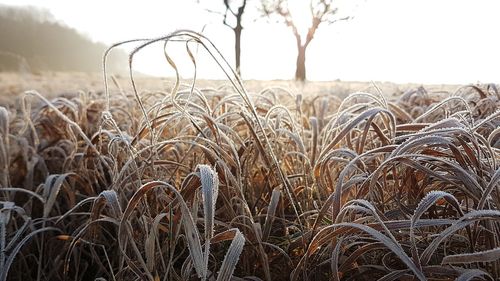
{"type": "Point", "coordinates": [232, 17]}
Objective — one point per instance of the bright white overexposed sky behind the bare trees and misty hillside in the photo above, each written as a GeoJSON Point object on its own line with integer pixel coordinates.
{"type": "Point", "coordinates": [423, 41]}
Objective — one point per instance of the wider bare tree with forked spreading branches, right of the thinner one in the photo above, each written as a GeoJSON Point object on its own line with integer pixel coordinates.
{"type": "Point", "coordinates": [322, 11]}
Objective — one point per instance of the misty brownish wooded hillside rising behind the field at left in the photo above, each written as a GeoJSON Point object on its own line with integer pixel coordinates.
{"type": "Point", "coordinates": [32, 40]}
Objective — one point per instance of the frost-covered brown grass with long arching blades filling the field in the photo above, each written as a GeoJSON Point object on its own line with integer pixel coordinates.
{"type": "Point", "coordinates": [218, 183]}
